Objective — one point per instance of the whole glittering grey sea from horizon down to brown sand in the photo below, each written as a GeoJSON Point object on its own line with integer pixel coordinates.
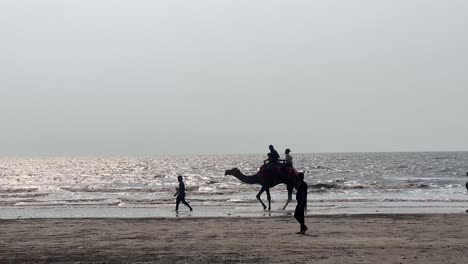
{"type": "Point", "coordinates": [352, 183]}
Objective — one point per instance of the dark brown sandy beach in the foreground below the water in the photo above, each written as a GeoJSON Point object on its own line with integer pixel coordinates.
{"type": "Point", "coordinates": [381, 238]}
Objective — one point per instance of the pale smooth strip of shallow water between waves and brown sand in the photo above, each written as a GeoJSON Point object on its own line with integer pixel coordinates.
{"type": "Point", "coordinates": [228, 211]}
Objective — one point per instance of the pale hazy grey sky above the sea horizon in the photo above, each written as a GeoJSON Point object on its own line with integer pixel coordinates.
{"type": "Point", "coordinates": [148, 77]}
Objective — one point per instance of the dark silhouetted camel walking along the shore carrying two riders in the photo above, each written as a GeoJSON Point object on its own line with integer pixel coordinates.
{"type": "Point", "coordinates": [268, 178]}
